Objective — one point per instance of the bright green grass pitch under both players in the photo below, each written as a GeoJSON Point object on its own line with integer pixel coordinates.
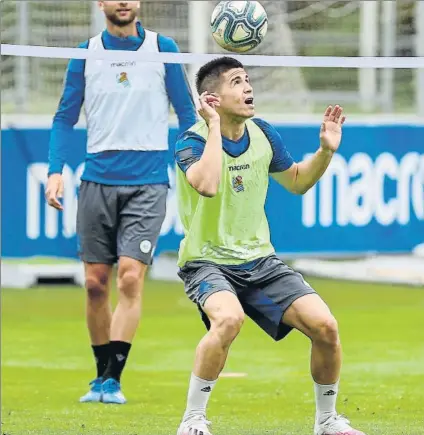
{"type": "Point", "coordinates": [47, 363]}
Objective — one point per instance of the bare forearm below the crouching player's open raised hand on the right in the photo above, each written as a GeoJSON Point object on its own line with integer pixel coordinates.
{"type": "Point", "coordinates": [311, 170]}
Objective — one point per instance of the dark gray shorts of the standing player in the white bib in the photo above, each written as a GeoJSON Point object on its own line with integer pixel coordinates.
{"type": "Point", "coordinates": [116, 221]}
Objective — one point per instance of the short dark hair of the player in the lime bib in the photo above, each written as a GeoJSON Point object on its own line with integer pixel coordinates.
{"type": "Point", "coordinates": [207, 78]}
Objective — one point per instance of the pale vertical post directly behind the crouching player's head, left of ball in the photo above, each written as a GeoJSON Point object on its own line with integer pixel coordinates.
{"type": "Point", "coordinates": [198, 33]}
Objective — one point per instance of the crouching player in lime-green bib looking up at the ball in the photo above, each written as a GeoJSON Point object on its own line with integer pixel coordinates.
{"type": "Point", "coordinates": [226, 259]}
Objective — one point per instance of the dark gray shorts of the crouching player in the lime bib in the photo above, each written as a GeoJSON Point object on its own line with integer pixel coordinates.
{"type": "Point", "coordinates": [265, 288]}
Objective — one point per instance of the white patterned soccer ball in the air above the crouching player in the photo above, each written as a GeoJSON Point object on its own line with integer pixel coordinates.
{"type": "Point", "coordinates": [239, 26]}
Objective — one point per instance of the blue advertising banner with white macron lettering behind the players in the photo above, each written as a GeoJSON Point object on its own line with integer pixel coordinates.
{"type": "Point", "coordinates": [371, 199]}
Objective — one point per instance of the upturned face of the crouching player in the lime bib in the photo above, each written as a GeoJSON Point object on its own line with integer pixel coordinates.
{"type": "Point", "coordinates": [236, 94]}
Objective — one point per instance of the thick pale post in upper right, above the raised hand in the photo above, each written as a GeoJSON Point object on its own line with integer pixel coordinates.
{"type": "Point", "coordinates": [368, 41]}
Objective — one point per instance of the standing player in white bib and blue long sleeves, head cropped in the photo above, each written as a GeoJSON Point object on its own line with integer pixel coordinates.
{"type": "Point", "coordinates": [122, 197]}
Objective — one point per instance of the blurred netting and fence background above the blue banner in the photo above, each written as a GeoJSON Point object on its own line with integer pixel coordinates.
{"type": "Point", "coordinates": [330, 28]}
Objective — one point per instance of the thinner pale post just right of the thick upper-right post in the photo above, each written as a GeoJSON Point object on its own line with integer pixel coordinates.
{"type": "Point", "coordinates": [389, 15]}
